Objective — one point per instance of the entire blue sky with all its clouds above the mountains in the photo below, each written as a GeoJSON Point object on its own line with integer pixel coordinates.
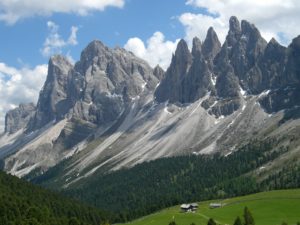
{"type": "Point", "coordinates": [32, 30]}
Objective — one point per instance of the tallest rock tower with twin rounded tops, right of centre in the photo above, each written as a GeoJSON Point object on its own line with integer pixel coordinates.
{"type": "Point", "coordinates": [243, 48]}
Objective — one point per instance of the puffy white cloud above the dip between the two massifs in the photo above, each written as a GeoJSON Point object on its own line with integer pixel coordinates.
{"type": "Point", "coordinates": [156, 51]}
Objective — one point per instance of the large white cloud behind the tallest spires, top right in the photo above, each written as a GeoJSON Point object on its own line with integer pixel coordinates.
{"type": "Point", "coordinates": [274, 18]}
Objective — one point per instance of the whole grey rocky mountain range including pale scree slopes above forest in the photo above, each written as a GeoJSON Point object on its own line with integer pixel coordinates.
{"type": "Point", "coordinates": [112, 110]}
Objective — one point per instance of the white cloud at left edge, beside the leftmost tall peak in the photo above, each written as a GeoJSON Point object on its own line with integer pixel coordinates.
{"type": "Point", "coordinates": [19, 86]}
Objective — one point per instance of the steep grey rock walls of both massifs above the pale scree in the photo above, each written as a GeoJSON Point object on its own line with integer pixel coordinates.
{"type": "Point", "coordinates": [105, 81]}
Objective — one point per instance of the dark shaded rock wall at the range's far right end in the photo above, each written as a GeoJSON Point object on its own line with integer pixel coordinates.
{"type": "Point", "coordinates": [283, 72]}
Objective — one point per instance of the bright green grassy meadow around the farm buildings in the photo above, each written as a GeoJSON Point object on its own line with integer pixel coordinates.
{"type": "Point", "coordinates": [268, 208]}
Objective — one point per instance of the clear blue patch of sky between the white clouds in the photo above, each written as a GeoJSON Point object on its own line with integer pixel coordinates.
{"type": "Point", "coordinates": [22, 42]}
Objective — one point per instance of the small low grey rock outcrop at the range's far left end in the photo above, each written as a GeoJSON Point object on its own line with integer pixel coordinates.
{"type": "Point", "coordinates": [18, 118]}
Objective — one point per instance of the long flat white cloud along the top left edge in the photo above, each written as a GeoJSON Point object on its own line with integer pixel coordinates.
{"type": "Point", "coordinates": [13, 10]}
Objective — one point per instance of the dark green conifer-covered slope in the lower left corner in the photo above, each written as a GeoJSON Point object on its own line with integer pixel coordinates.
{"type": "Point", "coordinates": [25, 204]}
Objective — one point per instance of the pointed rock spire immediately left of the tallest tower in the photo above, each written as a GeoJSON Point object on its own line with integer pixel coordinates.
{"type": "Point", "coordinates": [211, 45]}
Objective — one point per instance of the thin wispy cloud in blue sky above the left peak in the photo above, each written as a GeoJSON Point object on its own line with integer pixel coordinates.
{"type": "Point", "coordinates": [54, 42]}
